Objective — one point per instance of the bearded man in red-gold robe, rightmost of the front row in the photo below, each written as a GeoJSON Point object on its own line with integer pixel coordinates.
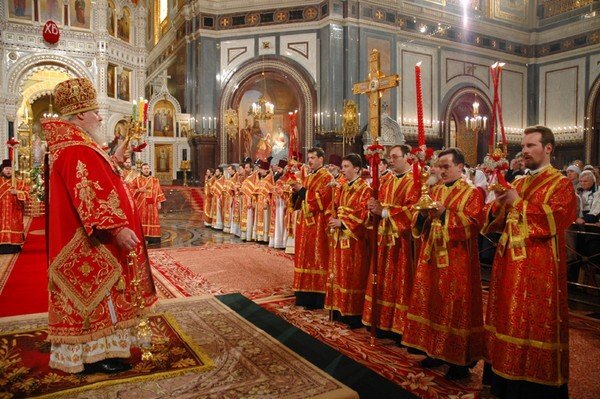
{"type": "Point", "coordinates": [527, 333]}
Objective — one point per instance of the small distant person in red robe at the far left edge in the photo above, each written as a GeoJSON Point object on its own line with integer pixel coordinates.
{"type": "Point", "coordinates": [12, 205]}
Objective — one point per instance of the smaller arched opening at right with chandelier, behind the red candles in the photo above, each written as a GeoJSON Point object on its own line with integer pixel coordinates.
{"type": "Point", "coordinates": [472, 141]}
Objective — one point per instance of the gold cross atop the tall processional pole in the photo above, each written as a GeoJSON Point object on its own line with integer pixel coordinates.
{"type": "Point", "coordinates": [374, 88]}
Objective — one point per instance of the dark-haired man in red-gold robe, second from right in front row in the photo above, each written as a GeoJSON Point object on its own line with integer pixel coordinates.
{"type": "Point", "coordinates": [445, 314]}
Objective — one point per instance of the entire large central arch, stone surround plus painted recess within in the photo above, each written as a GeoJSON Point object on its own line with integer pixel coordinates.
{"type": "Point", "coordinates": [288, 86]}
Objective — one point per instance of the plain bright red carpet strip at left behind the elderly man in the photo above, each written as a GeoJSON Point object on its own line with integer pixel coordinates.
{"type": "Point", "coordinates": [29, 276]}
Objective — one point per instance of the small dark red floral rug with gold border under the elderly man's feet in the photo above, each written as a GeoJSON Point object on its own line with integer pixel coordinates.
{"type": "Point", "coordinates": [24, 357]}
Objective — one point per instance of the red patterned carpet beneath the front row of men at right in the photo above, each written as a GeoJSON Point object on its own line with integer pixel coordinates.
{"type": "Point", "coordinates": [400, 367]}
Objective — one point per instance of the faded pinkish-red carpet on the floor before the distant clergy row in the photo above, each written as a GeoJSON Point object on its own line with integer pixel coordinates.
{"type": "Point", "coordinates": [254, 270]}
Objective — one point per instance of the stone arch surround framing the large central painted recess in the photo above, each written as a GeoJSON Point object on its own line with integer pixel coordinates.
{"type": "Point", "coordinates": [277, 69]}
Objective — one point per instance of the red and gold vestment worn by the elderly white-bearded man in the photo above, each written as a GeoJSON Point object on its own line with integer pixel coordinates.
{"type": "Point", "coordinates": [91, 294]}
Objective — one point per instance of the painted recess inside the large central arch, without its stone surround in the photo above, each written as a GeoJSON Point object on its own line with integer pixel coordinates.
{"type": "Point", "coordinates": [264, 138]}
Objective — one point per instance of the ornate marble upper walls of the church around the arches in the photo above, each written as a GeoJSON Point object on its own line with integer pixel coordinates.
{"type": "Point", "coordinates": [534, 39]}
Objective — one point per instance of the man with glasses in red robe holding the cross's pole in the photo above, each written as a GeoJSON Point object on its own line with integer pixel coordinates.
{"type": "Point", "coordinates": [397, 194]}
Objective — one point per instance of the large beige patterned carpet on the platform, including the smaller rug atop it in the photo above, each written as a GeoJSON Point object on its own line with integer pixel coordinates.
{"type": "Point", "coordinates": [248, 363]}
